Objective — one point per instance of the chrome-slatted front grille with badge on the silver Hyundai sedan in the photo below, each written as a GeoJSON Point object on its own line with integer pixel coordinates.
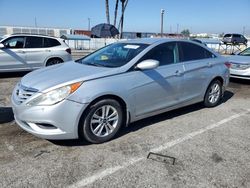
{"type": "Point", "coordinates": [22, 93]}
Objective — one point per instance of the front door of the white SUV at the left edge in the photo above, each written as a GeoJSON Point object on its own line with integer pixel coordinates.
{"type": "Point", "coordinates": [12, 57]}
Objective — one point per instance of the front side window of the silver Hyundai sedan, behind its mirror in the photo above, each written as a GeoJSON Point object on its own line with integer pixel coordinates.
{"type": "Point", "coordinates": [166, 53]}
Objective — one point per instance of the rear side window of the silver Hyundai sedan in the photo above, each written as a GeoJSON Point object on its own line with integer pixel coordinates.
{"type": "Point", "coordinates": [190, 51]}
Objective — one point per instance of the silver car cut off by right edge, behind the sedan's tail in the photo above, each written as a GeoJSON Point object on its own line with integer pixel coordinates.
{"type": "Point", "coordinates": [240, 65]}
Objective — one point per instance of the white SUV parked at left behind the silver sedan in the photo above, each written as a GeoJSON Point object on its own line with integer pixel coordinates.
{"type": "Point", "coordinates": [24, 52]}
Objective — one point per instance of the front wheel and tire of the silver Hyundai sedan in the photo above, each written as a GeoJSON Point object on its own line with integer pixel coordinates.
{"type": "Point", "coordinates": [96, 127]}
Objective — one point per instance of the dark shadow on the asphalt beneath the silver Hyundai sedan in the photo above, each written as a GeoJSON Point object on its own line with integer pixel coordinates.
{"type": "Point", "coordinates": [147, 122]}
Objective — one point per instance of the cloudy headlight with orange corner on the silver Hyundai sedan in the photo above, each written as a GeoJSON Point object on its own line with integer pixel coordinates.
{"type": "Point", "coordinates": [54, 96]}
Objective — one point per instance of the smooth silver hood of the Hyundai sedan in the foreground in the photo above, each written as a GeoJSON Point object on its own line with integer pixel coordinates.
{"type": "Point", "coordinates": [63, 74]}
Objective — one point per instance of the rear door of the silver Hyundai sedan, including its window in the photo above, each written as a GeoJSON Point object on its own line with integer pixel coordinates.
{"type": "Point", "coordinates": [198, 64]}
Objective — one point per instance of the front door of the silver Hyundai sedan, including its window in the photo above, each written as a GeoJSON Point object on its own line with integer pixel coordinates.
{"type": "Point", "coordinates": [159, 88]}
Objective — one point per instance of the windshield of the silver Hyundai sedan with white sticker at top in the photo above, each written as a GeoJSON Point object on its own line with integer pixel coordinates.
{"type": "Point", "coordinates": [114, 55]}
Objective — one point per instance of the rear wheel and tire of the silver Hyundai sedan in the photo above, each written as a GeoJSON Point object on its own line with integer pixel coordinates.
{"type": "Point", "coordinates": [213, 94]}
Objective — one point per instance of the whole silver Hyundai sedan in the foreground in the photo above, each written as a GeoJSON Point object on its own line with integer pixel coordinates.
{"type": "Point", "coordinates": [116, 85]}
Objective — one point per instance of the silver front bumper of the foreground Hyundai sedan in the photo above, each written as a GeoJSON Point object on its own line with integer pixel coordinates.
{"type": "Point", "coordinates": [55, 122]}
